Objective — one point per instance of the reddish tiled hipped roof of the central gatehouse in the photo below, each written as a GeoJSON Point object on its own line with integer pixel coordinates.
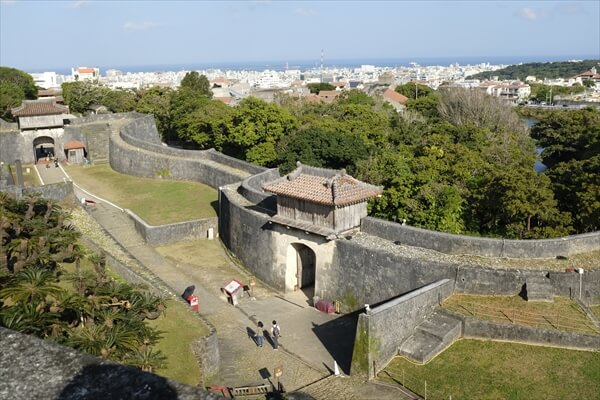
{"type": "Point", "coordinates": [322, 186]}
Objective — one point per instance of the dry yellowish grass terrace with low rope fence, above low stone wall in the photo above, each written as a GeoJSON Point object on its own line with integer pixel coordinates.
{"type": "Point", "coordinates": [562, 313]}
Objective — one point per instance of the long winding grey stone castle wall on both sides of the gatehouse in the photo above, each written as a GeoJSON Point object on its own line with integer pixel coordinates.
{"type": "Point", "coordinates": [244, 211]}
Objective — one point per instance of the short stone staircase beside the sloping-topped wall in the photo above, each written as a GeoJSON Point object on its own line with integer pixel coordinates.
{"type": "Point", "coordinates": [432, 337]}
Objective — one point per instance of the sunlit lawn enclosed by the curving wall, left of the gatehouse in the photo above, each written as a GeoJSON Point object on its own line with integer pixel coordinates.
{"type": "Point", "coordinates": [157, 201]}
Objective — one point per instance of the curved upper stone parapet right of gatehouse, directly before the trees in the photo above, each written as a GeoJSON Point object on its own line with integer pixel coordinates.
{"type": "Point", "coordinates": [460, 244]}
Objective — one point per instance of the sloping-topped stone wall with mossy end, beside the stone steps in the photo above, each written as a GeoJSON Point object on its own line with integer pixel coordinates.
{"type": "Point", "coordinates": [382, 330]}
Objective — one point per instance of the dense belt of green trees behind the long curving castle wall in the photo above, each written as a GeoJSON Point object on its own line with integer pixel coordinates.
{"type": "Point", "coordinates": [455, 160]}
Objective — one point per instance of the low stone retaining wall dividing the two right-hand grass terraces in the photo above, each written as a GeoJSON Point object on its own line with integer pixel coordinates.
{"type": "Point", "coordinates": [480, 329]}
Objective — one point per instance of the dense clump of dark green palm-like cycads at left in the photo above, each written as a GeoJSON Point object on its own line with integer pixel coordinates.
{"type": "Point", "coordinates": [83, 308]}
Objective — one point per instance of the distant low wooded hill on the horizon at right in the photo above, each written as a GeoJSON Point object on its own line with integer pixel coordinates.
{"type": "Point", "coordinates": [549, 70]}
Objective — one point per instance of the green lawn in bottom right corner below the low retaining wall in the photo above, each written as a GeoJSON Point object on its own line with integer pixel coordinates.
{"type": "Point", "coordinates": [472, 369]}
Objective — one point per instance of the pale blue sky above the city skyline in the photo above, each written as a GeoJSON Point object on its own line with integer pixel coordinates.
{"type": "Point", "coordinates": [38, 35]}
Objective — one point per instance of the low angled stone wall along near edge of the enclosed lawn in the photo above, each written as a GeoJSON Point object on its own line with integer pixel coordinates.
{"type": "Point", "coordinates": [169, 233]}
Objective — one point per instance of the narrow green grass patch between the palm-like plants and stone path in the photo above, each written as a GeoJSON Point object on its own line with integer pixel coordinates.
{"type": "Point", "coordinates": [180, 328]}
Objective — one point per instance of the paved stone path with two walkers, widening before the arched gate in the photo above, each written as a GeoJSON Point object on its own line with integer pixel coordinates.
{"type": "Point", "coordinates": [307, 351]}
